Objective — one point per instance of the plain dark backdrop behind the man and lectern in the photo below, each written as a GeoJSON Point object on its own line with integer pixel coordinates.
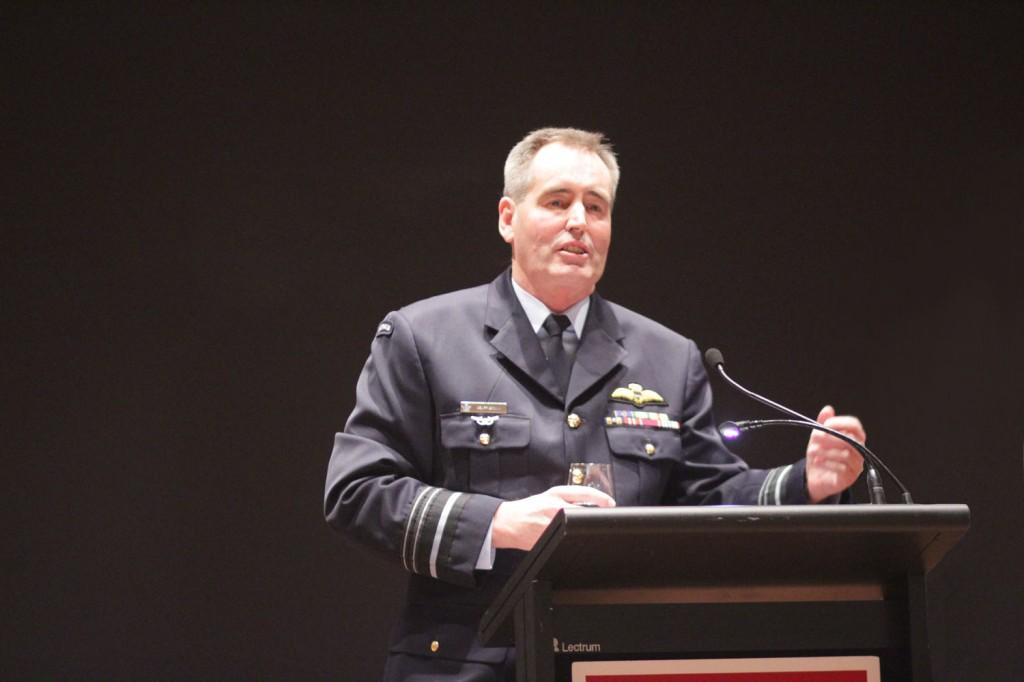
{"type": "Point", "coordinates": [208, 209]}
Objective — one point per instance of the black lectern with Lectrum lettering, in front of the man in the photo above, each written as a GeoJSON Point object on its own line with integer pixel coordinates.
{"type": "Point", "coordinates": [658, 582]}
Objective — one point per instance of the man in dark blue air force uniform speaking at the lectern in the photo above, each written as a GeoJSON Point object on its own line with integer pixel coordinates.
{"type": "Point", "coordinates": [473, 406]}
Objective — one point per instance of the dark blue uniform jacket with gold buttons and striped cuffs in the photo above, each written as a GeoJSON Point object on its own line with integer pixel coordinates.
{"type": "Point", "coordinates": [412, 478]}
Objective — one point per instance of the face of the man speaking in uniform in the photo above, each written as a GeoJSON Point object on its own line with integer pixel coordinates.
{"type": "Point", "coordinates": [562, 230]}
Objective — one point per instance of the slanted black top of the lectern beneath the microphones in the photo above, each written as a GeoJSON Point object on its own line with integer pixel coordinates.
{"type": "Point", "coordinates": [660, 547]}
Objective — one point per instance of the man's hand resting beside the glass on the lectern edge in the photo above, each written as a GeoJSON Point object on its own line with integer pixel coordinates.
{"type": "Point", "coordinates": [520, 523]}
